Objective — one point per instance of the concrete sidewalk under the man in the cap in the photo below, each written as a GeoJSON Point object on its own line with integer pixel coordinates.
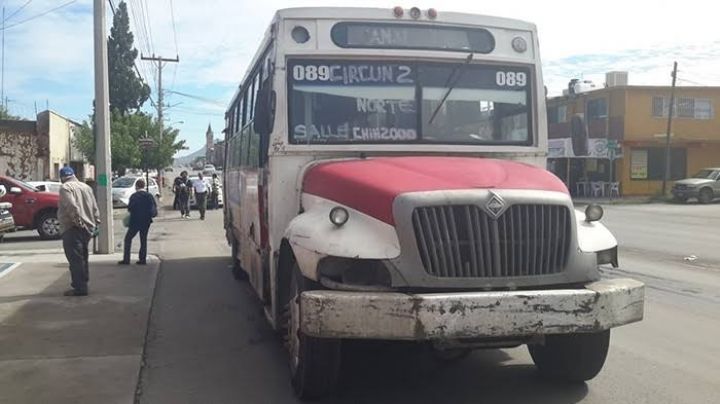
{"type": "Point", "coordinates": [71, 349]}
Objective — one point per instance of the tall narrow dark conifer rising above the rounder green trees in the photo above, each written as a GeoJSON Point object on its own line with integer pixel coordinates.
{"type": "Point", "coordinates": [127, 91]}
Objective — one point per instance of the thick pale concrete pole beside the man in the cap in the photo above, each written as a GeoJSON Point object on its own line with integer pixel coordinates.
{"type": "Point", "coordinates": [102, 130]}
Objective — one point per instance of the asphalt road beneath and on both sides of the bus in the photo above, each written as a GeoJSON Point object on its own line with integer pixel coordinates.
{"type": "Point", "coordinates": [208, 340]}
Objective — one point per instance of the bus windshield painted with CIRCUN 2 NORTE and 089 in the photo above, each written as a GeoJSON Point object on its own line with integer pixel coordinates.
{"type": "Point", "coordinates": [340, 102]}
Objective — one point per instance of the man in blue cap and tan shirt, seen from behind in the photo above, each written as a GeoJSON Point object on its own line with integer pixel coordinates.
{"type": "Point", "coordinates": [79, 216]}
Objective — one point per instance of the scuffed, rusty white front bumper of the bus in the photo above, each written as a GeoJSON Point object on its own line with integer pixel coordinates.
{"type": "Point", "coordinates": [400, 316]}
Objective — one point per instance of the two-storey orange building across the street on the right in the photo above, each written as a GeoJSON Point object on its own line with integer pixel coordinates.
{"type": "Point", "coordinates": [617, 134]}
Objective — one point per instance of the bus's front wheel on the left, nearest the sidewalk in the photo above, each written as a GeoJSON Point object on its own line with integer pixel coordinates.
{"type": "Point", "coordinates": [314, 362]}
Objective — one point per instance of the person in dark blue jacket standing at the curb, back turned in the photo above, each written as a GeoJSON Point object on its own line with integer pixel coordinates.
{"type": "Point", "coordinates": [142, 208]}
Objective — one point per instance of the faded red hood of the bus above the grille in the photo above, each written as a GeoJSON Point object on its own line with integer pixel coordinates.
{"type": "Point", "coordinates": [371, 185]}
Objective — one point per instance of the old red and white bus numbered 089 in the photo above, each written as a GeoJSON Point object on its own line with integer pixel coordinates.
{"type": "Point", "coordinates": [384, 179]}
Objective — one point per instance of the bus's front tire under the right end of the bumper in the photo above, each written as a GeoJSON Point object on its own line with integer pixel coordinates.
{"type": "Point", "coordinates": [572, 357]}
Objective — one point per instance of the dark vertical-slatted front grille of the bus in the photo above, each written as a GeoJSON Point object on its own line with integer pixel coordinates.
{"type": "Point", "coordinates": [463, 241]}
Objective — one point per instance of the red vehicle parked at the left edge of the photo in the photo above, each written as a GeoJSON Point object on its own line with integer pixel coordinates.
{"type": "Point", "coordinates": [32, 209]}
